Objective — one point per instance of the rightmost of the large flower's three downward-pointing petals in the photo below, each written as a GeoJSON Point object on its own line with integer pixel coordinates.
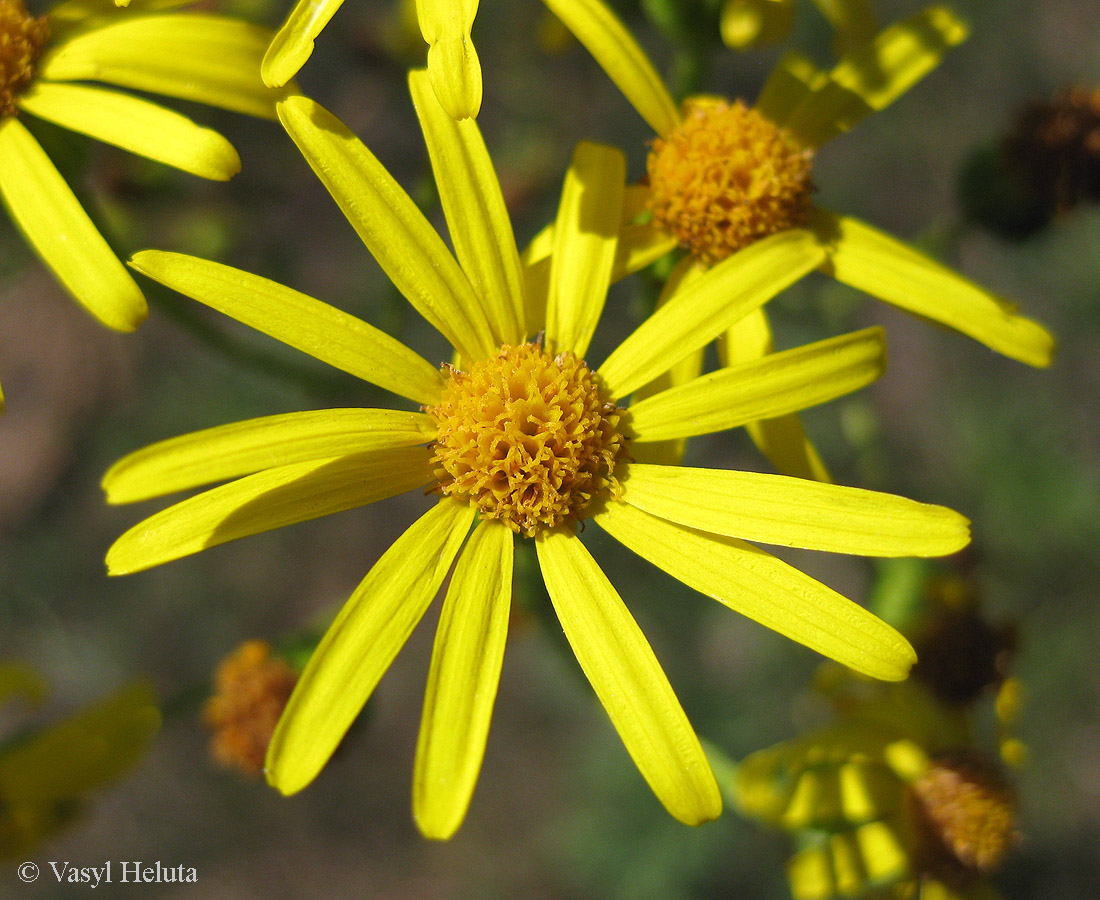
{"type": "Point", "coordinates": [629, 681]}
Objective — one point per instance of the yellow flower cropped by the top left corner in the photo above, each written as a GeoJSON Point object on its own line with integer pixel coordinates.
{"type": "Point", "coordinates": [43, 64]}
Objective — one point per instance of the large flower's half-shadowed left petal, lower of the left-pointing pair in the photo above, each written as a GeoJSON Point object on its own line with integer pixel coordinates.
{"type": "Point", "coordinates": [270, 500]}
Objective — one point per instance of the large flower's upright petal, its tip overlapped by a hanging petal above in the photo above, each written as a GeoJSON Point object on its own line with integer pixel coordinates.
{"type": "Point", "coordinates": [477, 217]}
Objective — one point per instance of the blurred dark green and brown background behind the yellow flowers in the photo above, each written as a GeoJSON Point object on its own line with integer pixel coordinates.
{"type": "Point", "coordinates": [560, 811]}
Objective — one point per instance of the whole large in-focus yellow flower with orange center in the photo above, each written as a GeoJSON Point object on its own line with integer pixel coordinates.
{"type": "Point", "coordinates": [522, 438]}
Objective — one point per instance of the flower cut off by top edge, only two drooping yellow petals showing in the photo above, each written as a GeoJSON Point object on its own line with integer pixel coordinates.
{"type": "Point", "coordinates": [446, 26]}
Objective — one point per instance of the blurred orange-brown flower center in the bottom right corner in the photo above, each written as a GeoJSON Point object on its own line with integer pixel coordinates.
{"type": "Point", "coordinates": [967, 810]}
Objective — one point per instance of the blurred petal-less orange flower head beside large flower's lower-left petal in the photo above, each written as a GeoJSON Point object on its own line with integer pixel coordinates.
{"type": "Point", "coordinates": [252, 687]}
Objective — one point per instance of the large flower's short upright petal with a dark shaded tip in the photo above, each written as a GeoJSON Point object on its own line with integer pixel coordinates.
{"type": "Point", "coordinates": [585, 239]}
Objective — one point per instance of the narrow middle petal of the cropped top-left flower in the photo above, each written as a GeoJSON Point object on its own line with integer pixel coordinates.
{"type": "Point", "coordinates": [135, 125]}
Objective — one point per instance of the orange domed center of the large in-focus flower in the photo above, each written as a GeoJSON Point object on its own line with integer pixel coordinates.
{"type": "Point", "coordinates": [527, 437]}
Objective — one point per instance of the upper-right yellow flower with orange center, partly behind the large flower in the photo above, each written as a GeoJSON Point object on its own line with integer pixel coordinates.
{"type": "Point", "coordinates": [723, 175]}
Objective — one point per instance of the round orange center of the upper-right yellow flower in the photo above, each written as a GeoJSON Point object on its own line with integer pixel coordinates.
{"type": "Point", "coordinates": [728, 178]}
